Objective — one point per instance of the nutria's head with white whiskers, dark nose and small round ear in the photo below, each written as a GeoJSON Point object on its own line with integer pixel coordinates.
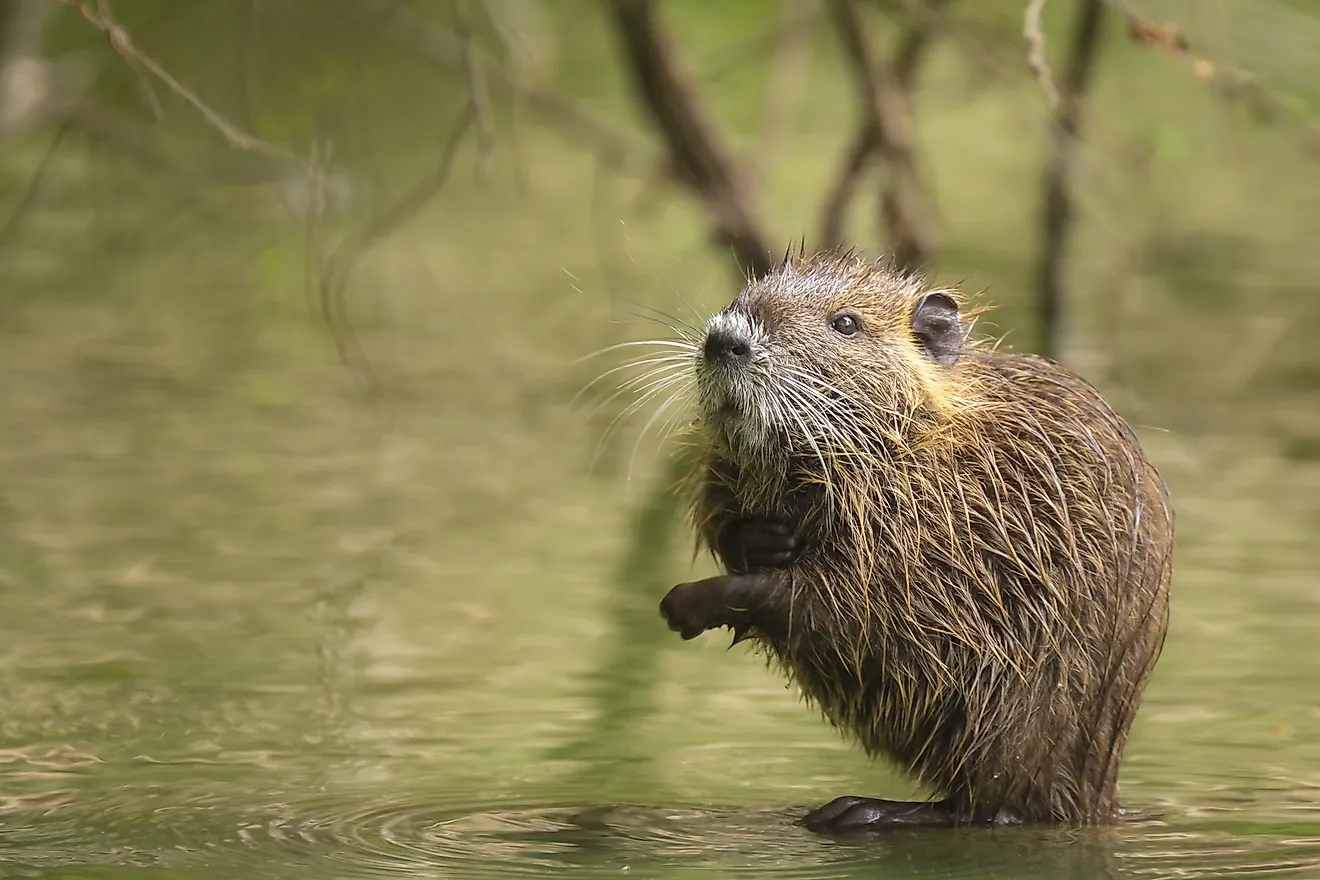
{"type": "Point", "coordinates": [827, 357]}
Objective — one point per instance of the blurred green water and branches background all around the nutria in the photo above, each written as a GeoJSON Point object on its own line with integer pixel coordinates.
{"type": "Point", "coordinates": [313, 559]}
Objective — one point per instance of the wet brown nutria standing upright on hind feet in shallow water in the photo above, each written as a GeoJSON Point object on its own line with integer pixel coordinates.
{"type": "Point", "coordinates": [960, 556]}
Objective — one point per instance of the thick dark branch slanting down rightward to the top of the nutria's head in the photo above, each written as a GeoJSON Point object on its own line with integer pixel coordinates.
{"type": "Point", "coordinates": [699, 160]}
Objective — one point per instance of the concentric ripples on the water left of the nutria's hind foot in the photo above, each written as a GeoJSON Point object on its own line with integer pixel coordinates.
{"type": "Point", "coordinates": [534, 840]}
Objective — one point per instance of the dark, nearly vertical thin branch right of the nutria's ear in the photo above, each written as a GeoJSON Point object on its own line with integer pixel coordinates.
{"type": "Point", "coordinates": [1058, 209]}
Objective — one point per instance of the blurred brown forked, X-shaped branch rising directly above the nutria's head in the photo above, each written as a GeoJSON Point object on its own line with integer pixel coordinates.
{"type": "Point", "coordinates": [907, 214]}
